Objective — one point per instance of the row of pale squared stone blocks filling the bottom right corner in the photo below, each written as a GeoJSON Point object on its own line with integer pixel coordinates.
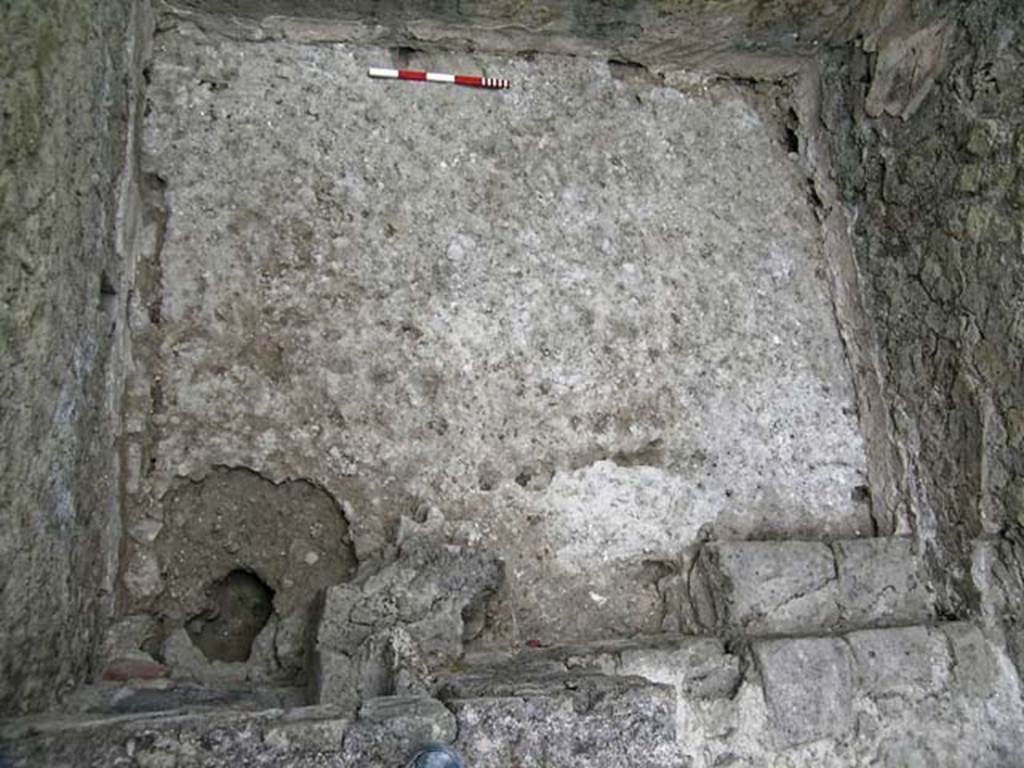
{"type": "Point", "coordinates": [898, 697]}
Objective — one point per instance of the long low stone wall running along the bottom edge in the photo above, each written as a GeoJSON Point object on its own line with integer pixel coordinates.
{"type": "Point", "coordinates": [928, 695]}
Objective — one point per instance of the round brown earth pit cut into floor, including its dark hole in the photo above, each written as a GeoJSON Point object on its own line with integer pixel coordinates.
{"type": "Point", "coordinates": [235, 522]}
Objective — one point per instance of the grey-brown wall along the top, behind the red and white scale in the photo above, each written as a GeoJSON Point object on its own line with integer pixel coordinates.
{"type": "Point", "coordinates": [738, 37]}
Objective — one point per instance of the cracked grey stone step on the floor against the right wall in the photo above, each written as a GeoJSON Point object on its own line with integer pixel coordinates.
{"type": "Point", "coordinates": [797, 587]}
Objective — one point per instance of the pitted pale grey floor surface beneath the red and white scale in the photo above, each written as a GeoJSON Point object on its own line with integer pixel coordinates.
{"type": "Point", "coordinates": [584, 318]}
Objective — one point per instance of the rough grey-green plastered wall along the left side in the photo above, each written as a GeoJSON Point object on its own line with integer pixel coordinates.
{"type": "Point", "coordinates": [68, 75]}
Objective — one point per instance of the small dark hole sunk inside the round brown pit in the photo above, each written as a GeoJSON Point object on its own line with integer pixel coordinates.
{"type": "Point", "coordinates": [240, 607]}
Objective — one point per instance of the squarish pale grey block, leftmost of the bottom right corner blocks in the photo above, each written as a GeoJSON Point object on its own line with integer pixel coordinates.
{"type": "Point", "coordinates": [808, 687]}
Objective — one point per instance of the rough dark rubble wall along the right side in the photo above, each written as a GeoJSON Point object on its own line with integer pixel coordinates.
{"type": "Point", "coordinates": [928, 144]}
